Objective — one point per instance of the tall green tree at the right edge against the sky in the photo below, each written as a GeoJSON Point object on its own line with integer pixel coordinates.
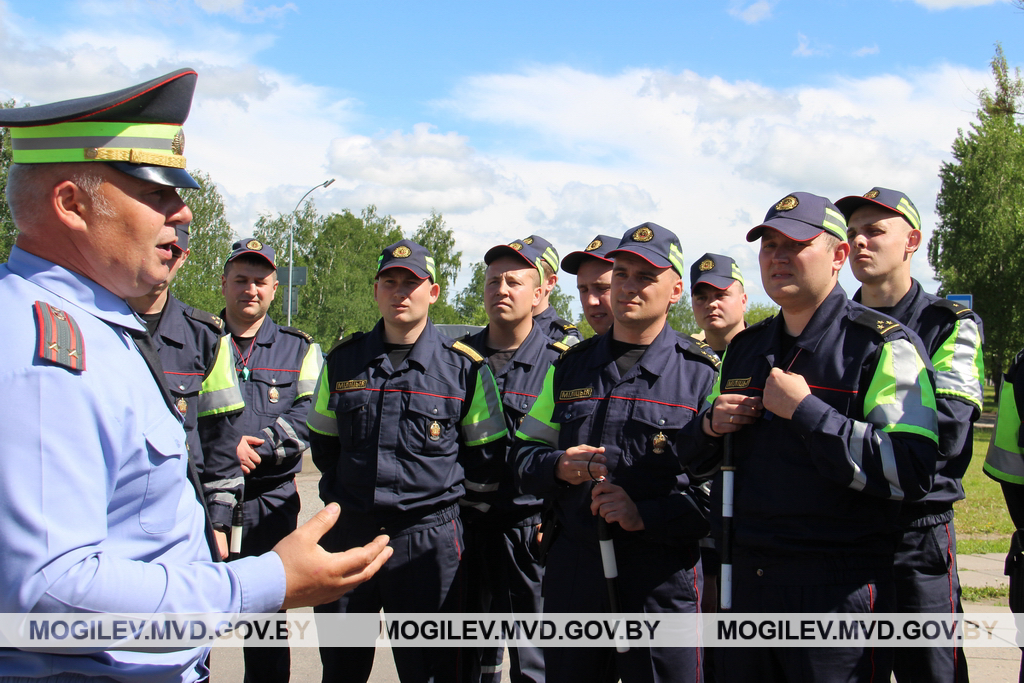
{"type": "Point", "coordinates": [978, 246]}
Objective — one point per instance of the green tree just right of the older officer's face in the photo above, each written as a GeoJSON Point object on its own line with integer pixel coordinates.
{"type": "Point", "coordinates": [210, 238]}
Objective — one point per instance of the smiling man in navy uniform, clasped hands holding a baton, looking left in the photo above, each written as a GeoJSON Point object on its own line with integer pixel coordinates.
{"type": "Point", "coordinates": [605, 439]}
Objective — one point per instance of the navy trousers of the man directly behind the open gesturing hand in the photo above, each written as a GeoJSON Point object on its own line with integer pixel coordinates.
{"type": "Point", "coordinates": [422, 576]}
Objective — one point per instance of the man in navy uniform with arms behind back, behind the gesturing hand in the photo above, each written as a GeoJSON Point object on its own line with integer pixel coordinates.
{"type": "Point", "coordinates": [403, 416]}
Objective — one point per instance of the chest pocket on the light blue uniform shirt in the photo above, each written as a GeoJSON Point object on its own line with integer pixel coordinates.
{"type": "Point", "coordinates": [165, 478]}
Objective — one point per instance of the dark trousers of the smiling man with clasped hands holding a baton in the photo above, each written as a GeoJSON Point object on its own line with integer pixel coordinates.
{"type": "Point", "coordinates": [653, 579]}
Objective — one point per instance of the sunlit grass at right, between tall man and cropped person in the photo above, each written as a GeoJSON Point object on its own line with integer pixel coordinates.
{"type": "Point", "coordinates": [983, 523]}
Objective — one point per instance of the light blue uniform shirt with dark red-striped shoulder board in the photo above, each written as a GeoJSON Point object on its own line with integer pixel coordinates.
{"type": "Point", "coordinates": [97, 511]}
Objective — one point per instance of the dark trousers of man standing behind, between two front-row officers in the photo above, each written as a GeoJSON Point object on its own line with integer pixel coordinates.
{"type": "Point", "coordinates": [503, 576]}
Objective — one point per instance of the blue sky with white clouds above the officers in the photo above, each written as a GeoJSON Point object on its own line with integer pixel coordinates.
{"type": "Point", "coordinates": [564, 119]}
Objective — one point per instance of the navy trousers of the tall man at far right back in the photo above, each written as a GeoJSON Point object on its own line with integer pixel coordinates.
{"type": "Point", "coordinates": [927, 583]}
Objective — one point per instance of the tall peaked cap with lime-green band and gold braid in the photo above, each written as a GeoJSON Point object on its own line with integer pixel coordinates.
{"type": "Point", "coordinates": [137, 131]}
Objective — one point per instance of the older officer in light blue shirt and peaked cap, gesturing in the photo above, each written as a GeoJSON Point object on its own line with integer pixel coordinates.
{"type": "Point", "coordinates": [98, 510]}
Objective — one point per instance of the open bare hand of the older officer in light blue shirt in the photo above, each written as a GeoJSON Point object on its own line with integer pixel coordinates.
{"type": "Point", "coordinates": [314, 576]}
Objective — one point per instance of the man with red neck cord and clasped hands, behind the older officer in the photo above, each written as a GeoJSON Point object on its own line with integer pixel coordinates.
{"type": "Point", "coordinates": [277, 368]}
